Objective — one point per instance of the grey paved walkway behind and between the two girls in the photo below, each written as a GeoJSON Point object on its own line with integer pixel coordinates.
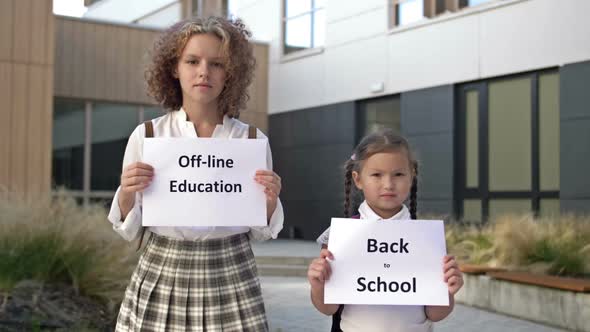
{"type": "Point", "coordinates": [289, 308]}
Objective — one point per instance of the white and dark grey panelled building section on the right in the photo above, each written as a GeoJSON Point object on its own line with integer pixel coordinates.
{"type": "Point", "coordinates": [492, 94]}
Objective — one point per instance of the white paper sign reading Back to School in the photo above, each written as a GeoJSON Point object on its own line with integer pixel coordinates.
{"type": "Point", "coordinates": [393, 262]}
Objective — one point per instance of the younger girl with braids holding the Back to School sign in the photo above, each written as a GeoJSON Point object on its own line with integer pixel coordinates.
{"type": "Point", "coordinates": [384, 169]}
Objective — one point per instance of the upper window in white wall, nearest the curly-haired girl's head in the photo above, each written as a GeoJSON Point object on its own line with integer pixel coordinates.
{"type": "Point", "coordinates": [304, 25]}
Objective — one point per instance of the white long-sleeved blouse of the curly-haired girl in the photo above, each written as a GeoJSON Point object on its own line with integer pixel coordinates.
{"type": "Point", "coordinates": [175, 124]}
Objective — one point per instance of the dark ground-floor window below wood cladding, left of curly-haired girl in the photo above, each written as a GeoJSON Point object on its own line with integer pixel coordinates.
{"type": "Point", "coordinates": [89, 140]}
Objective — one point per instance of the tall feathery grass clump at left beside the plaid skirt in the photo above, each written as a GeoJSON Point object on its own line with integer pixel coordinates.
{"type": "Point", "coordinates": [56, 240]}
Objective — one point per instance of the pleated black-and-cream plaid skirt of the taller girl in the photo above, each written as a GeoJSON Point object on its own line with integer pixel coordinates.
{"type": "Point", "coordinates": [180, 285]}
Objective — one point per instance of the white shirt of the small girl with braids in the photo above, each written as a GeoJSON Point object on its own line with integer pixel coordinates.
{"type": "Point", "coordinates": [381, 318]}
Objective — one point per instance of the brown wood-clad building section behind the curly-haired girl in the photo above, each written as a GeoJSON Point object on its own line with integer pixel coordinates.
{"type": "Point", "coordinates": [72, 90]}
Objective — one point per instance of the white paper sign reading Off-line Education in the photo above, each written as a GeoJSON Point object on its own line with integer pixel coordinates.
{"type": "Point", "coordinates": [204, 182]}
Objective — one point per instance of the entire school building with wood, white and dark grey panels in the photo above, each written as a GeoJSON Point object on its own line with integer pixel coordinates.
{"type": "Point", "coordinates": [492, 94]}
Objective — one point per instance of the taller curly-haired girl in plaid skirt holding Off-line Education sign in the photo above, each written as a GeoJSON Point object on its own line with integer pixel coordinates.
{"type": "Point", "coordinates": [195, 278]}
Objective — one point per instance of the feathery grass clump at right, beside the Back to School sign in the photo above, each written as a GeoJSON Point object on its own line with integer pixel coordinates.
{"type": "Point", "coordinates": [556, 246]}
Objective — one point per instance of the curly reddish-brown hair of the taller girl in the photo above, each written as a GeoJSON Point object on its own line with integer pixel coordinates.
{"type": "Point", "coordinates": [239, 62]}
